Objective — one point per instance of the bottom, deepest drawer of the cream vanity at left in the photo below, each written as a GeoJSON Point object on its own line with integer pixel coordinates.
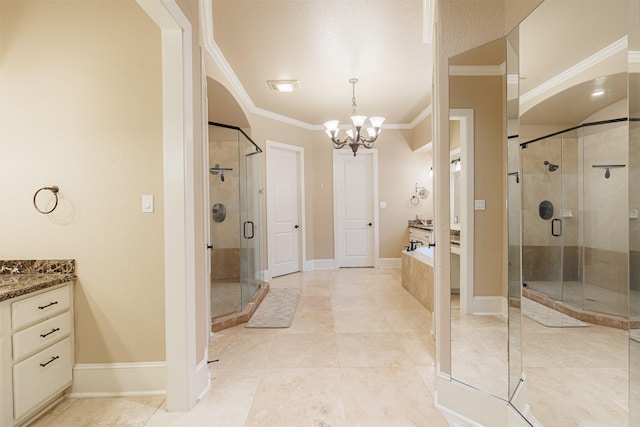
{"type": "Point", "coordinates": [34, 383]}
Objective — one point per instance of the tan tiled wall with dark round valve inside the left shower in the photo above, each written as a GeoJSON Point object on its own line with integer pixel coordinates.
{"type": "Point", "coordinates": [225, 258]}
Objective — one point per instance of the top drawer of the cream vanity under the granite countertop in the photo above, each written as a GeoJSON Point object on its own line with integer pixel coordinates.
{"type": "Point", "coordinates": [39, 307]}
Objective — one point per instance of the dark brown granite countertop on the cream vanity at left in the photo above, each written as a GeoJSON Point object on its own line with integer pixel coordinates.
{"type": "Point", "coordinates": [25, 276]}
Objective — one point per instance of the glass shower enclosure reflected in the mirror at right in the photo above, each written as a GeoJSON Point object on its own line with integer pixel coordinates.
{"type": "Point", "coordinates": [575, 214]}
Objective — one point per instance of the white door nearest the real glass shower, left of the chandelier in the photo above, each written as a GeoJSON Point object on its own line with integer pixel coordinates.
{"type": "Point", "coordinates": [283, 194]}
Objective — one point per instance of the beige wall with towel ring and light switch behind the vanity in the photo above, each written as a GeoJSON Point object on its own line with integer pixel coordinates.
{"type": "Point", "coordinates": [81, 109]}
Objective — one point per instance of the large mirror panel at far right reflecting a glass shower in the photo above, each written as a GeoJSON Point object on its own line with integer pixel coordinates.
{"type": "Point", "coordinates": [575, 148]}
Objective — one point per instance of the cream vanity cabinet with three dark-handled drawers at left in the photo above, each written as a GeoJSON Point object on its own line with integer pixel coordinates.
{"type": "Point", "coordinates": [37, 351]}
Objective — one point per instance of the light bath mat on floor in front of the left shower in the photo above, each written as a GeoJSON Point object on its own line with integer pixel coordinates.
{"type": "Point", "coordinates": [276, 309]}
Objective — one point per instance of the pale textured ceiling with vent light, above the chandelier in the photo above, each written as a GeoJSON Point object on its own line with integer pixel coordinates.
{"type": "Point", "coordinates": [324, 43]}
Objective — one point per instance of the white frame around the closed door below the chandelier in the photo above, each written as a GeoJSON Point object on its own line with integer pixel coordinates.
{"type": "Point", "coordinates": [337, 204]}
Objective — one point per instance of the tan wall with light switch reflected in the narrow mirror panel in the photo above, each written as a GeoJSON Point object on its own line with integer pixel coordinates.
{"type": "Point", "coordinates": [486, 96]}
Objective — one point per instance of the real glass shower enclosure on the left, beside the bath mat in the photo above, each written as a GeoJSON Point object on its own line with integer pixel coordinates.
{"type": "Point", "coordinates": [236, 217]}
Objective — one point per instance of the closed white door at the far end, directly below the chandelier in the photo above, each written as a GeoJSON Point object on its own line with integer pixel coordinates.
{"type": "Point", "coordinates": [354, 209]}
